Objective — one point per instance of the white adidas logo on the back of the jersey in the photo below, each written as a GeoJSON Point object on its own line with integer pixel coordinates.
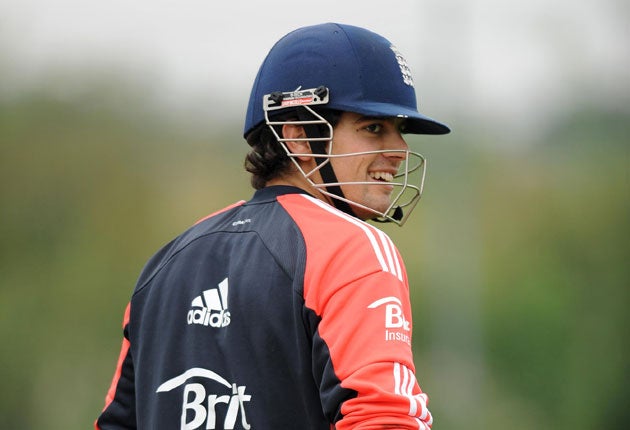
{"type": "Point", "coordinates": [210, 308]}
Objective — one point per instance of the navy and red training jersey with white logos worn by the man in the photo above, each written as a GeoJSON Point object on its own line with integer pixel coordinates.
{"type": "Point", "coordinates": [277, 313]}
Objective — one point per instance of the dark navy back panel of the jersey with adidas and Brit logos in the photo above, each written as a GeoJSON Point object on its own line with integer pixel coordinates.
{"type": "Point", "coordinates": [225, 298]}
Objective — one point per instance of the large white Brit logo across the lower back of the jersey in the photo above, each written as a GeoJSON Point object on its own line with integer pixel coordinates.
{"type": "Point", "coordinates": [209, 401]}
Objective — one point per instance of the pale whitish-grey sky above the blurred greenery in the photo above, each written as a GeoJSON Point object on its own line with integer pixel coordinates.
{"type": "Point", "coordinates": [481, 60]}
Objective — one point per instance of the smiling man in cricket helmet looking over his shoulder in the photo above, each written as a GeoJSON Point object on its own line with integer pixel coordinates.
{"type": "Point", "coordinates": [288, 311]}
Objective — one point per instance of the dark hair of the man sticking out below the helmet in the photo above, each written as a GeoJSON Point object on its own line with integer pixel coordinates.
{"type": "Point", "coordinates": [267, 159]}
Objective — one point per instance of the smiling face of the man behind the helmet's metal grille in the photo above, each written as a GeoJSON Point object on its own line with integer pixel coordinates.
{"type": "Point", "coordinates": [358, 133]}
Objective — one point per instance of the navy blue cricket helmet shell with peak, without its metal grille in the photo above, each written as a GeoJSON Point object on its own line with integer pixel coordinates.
{"type": "Point", "coordinates": [362, 70]}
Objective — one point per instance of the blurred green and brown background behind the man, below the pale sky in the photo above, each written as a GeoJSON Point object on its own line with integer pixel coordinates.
{"type": "Point", "coordinates": [518, 253]}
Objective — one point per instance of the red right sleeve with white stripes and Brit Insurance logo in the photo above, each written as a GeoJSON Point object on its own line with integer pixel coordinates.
{"type": "Point", "coordinates": [356, 282]}
